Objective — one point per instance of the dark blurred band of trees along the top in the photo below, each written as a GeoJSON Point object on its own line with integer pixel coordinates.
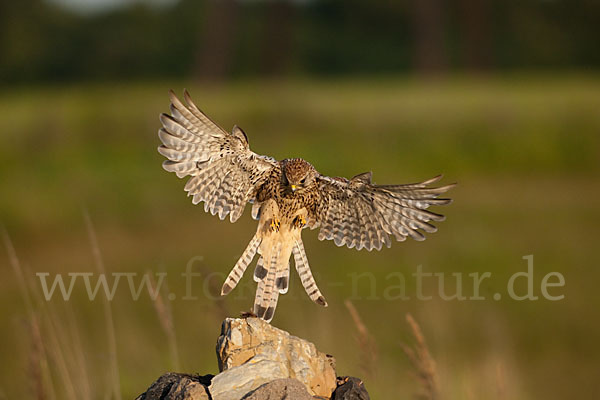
{"type": "Point", "coordinates": [217, 39]}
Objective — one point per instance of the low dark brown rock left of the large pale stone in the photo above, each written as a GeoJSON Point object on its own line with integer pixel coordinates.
{"type": "Point", "coordinates": [173, 386]}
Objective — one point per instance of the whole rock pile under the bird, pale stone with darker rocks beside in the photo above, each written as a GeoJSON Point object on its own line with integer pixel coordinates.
{"type": "Point", "coordinates": [260, 362]}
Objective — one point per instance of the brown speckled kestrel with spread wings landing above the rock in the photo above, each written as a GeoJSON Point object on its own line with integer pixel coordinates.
{"type": "Point", "coordinates": [287, 196]}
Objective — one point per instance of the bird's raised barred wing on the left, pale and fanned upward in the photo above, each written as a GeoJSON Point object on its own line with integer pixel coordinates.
{"type": "Point", "coordinates": [225, 173]}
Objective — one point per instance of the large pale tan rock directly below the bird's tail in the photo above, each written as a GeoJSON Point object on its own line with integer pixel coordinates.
{"type": "Point", "coordinates": [252, 341]}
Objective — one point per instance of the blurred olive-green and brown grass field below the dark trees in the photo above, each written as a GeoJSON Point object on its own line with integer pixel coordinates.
{"type": "Point", "coordinates": [525, 151]}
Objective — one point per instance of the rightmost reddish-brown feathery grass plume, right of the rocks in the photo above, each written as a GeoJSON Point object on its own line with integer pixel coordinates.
{"type": "Point", "coordinates": [422, 362]}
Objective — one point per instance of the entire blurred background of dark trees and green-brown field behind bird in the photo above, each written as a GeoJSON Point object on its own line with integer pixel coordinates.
{"type": "Point", "coordinates": [500, 96]}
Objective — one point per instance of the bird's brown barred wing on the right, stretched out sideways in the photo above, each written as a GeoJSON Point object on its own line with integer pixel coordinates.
{"type": "Point", "coordinates": [357, 213]}
